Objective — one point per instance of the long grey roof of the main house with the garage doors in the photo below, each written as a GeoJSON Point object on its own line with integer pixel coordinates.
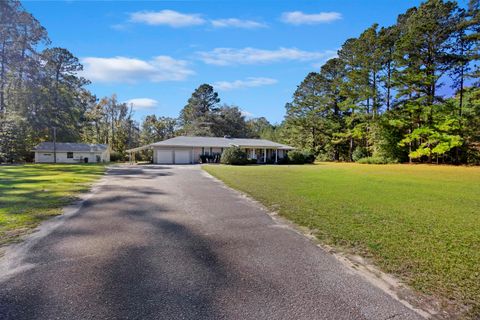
{"type": "Point", "coordinates": [225, 142]}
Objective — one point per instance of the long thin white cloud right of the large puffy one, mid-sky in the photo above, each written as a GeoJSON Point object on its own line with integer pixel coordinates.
{"type": "Point", "coordinates": [230, 56]}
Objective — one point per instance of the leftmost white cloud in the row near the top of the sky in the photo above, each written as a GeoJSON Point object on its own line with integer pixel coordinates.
{"type": "Point", "coordinates": [167, 17]}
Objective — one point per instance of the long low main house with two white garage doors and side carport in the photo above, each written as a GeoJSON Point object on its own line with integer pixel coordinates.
{"type": "Point", "coordinates": [185, 150]}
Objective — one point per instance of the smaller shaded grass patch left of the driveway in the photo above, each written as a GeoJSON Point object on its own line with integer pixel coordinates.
{"type": "Point", "coordinates": [32, 193]}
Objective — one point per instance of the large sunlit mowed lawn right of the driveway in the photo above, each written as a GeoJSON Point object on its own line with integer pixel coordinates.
{"type": "Point", "coordinates": [419, 222]}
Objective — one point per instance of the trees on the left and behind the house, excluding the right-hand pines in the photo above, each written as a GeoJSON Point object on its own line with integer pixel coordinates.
{"type": "Point", "coordinates": [40, 89]}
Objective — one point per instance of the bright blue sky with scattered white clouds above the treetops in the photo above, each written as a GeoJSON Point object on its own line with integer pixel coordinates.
{"type": "Point", "coordinates": [255, 53]}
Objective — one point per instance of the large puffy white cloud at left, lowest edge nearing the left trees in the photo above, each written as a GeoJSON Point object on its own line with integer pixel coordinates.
{"type": "Point", "coordinates": [131, 70]}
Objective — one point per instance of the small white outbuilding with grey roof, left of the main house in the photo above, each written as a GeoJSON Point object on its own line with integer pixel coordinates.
{"type": "Point", "coordinates": [71, 152]}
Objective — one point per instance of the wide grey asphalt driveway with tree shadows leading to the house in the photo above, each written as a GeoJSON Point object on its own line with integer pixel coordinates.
{"type": "Point", "coordinates": [166, 242]}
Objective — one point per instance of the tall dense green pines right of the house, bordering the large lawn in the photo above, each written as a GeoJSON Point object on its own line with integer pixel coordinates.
{"type": "Point", "coordinates": [381, 97]}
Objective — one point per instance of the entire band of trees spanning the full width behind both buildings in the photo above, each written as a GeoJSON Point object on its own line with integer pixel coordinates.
{"type": "Point", "coordinates": [407, 92]}
